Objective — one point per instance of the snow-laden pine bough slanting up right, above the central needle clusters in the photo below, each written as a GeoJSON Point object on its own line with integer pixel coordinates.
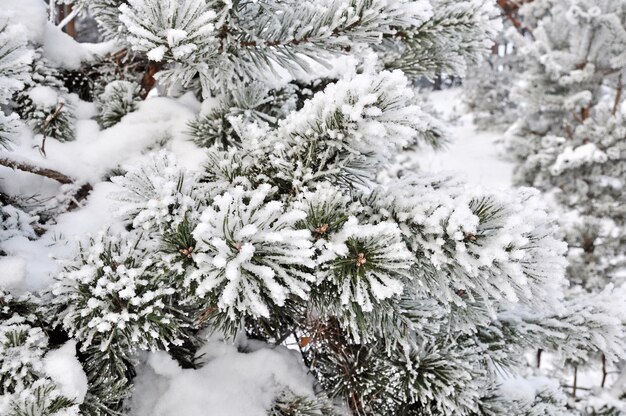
{"type": "Point", "coordinates": [333, 135]}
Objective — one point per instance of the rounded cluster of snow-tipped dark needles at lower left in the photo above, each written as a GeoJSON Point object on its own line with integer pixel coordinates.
{"type": "Point", "coordinates": [114, 297]}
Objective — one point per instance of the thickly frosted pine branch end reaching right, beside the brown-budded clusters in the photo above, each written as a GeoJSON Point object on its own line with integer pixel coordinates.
{"type": "Point", "coordinates": [471, 235]}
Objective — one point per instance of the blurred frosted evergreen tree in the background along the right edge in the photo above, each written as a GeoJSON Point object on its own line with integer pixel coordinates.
{"type": "Point", "coordinates": [569, 142]}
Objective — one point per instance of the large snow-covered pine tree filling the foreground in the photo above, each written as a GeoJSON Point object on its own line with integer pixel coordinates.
{"type": "Point", "coordinates": [405, 293]}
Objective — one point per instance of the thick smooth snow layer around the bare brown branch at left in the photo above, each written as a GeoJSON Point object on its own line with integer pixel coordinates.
{"type": "Point", "coordinates": [158, 122]}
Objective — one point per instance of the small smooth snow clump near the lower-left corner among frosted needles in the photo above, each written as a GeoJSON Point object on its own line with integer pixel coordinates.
{"type": "Point", "coordinates": [62, 366]}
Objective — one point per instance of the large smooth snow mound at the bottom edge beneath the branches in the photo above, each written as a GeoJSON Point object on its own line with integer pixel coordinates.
{"type": "Point", "coordinates": [164, 389]}
